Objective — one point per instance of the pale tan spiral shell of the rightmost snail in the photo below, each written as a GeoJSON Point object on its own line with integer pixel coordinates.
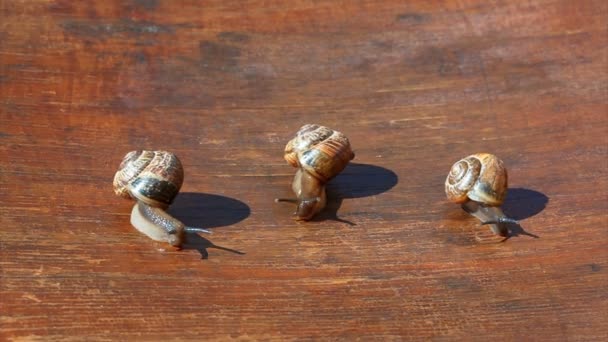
{"type": "Point", "coordinates": [480, 177]}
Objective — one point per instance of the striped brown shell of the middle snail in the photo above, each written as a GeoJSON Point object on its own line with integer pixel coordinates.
{"type": "Point", "coordinates": [319, 150]}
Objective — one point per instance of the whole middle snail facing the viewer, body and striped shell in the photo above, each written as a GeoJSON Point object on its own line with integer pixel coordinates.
{"type": "Point", "coordinates": [319, 153]}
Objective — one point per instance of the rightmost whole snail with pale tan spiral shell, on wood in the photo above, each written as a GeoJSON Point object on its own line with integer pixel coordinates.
{"type": "Point", "coordinates": [479, 183]}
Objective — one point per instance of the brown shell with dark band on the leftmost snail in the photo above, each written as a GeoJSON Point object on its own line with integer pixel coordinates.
{"type": "Point", "coordinates": [153, 177]}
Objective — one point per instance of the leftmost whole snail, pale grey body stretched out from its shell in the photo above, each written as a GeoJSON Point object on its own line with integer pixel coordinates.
{"type": "Point", "coordinates": [153, 179]}
